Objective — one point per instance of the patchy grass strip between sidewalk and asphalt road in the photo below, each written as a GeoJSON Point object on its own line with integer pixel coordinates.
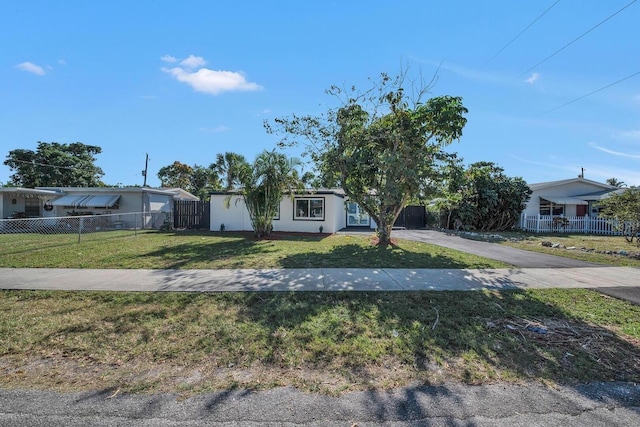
{"type": "Point", "coordinates": [321, 342]}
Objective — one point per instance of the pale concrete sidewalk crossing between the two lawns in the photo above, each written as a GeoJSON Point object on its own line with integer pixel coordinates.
{"type": "Point", "coordinates": [316, 279]}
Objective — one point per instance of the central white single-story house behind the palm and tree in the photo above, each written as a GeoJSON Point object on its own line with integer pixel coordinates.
{"type": "Point", "coordinates": [304, 211]}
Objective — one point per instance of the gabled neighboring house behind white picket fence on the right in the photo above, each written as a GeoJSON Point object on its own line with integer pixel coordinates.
{"type": "Point", "coordinates": [566, 205]}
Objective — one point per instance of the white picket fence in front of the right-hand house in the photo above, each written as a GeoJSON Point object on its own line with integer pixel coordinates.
{"type": "Point", "coordinates": [568, 224]}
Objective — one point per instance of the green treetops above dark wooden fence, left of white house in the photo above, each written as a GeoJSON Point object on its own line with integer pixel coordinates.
{"type": "Point", "coordinates": [196, 179]}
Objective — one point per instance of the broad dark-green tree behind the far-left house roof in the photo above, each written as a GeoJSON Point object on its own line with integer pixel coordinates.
{"type": "Point", "coordinates": [55, 165]}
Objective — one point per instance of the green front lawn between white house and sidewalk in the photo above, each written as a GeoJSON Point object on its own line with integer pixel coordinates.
{"type": "Point", "coordinates": [190, 250]}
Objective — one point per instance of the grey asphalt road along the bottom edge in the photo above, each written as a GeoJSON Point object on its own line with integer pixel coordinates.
{"type": "Point", "coordinates": [610, 404]}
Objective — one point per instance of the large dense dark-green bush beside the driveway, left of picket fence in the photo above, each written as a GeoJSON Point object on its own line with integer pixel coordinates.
{"type": "Point", "coordinates": [483, 198]}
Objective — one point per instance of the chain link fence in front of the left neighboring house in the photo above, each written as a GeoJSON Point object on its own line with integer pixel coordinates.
{"type": "Point", "coordinates": [87, 225]}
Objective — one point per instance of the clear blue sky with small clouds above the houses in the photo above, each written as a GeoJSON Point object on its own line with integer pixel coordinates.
{"type": "Point", "coordinates": [187, 80]}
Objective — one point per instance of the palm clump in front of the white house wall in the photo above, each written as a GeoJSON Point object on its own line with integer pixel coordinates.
{"type": "Point", "coordinates": [263, 185]}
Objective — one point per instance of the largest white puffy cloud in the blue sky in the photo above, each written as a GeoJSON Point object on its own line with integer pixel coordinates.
{"type": "Point", "coordinates": [213, 82]}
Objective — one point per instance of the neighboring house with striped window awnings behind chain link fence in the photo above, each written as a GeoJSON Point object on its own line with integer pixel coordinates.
{"type": "Point", "coordinates": [47, 202]}
